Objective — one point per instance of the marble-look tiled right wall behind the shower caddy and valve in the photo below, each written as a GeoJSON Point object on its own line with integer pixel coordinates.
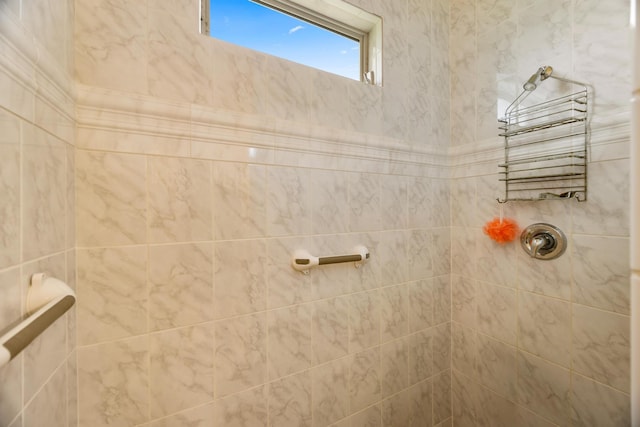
{"type": "Point", "coordinates": [539, 342]}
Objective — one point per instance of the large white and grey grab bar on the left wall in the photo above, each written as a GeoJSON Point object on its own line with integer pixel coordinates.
{"type": "Point", "coordinates": [48, 299]}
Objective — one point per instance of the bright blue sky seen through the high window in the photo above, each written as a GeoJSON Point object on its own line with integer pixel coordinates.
{"type": "Point", "coordinates": [257, 27]}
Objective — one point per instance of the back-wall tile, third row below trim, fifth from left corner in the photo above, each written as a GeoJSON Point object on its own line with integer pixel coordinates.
{"type": "Point", "coordinates": [330, 329]}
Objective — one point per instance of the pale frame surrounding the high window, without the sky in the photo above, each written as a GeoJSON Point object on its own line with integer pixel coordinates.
{"type": "Point", "coordinates": [336, 16]}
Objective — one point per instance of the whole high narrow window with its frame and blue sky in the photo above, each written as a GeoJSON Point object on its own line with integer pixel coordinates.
{"type": "Point", "coordinates": [329, 35]}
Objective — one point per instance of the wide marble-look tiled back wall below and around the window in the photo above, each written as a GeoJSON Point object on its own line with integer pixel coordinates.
{"type": "Point", "coordinates": [200, 167]}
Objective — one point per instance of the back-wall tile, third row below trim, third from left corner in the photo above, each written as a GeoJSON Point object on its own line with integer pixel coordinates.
{"type": "Point", "coordinates": [240, 353]}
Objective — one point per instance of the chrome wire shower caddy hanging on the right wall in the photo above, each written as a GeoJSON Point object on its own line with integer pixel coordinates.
{"type": "Point", "coordinates": [546, 144]}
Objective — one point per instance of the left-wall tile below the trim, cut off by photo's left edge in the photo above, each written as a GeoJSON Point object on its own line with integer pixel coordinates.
{"type": "Point", "coordinates": [10, 189]}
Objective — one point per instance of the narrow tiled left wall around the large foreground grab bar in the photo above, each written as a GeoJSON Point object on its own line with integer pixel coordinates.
{"type": "Point", "coordinates": [37, 203]}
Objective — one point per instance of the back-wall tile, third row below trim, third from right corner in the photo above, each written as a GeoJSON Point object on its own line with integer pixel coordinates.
{"type": "Point", "coordinates": [394, 308]}
